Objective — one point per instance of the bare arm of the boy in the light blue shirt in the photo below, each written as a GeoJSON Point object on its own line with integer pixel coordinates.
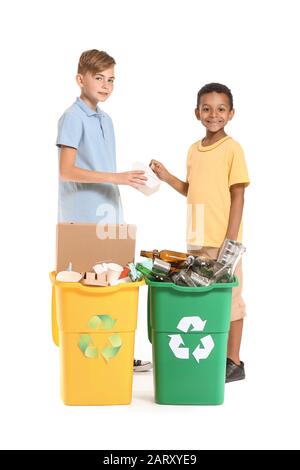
{"type": "Point", "coordinates": [69, 172]}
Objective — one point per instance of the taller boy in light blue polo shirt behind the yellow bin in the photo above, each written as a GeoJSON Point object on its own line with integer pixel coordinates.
{"type": "Point", "coordinates": [88, 184]}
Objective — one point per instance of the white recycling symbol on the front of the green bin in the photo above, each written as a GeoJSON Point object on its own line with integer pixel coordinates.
{"type": "Point", "coordinates": [176, 342]}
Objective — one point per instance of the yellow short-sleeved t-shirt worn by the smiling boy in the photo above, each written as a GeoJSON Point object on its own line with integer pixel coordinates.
{"type": "Point", "coordinates": [211, 171]}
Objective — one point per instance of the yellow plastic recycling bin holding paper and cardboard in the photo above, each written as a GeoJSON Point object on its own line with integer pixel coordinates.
{"type": "Point", "coordinates": [95, 328]}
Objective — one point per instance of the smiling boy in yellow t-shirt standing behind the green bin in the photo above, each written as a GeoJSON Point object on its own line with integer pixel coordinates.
{"type": "Point", "coordinates": [216, 179]}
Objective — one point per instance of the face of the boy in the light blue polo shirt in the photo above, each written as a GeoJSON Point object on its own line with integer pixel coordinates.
{"type": "Point", "coordinates": [98, 87]}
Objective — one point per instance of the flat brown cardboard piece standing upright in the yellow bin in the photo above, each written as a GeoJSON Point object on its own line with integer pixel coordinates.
{"type": "Point", "coordinates": [85, 245]}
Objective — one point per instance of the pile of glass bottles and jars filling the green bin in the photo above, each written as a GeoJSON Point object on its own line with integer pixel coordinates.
{"type": "Point", "coordinates": [187, 270]}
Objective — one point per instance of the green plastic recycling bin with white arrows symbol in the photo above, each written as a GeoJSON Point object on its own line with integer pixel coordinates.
{"type": "Point", "coordinates": [188, 328]}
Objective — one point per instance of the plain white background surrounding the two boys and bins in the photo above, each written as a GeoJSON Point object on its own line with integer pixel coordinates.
{"type": "Point", "coordinates": [165, 51]}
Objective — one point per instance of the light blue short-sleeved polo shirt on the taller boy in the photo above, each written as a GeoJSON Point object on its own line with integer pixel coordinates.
{"type": "Point", "coordinates": [92, 134]}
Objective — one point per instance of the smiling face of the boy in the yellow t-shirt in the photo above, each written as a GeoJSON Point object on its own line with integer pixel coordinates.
{"type": "Point", "coordinates": [214, 111]}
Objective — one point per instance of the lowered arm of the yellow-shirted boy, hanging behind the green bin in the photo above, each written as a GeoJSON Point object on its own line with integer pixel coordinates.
{"type": "Point", "coordinates": [236, 210]}
